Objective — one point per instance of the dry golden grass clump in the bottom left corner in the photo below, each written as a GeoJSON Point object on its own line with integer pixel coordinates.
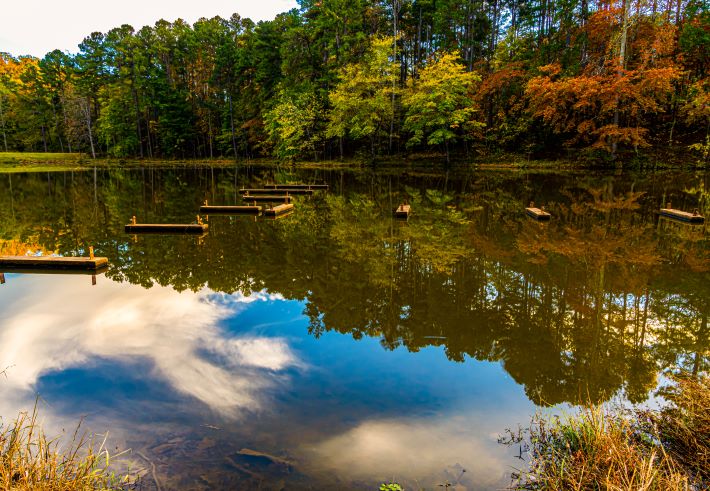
{"type": "Point", "coordinates": [31, 461]}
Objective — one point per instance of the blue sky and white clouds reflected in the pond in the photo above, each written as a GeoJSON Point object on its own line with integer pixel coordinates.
{"type": "Point", "coordinates": [154, 366]}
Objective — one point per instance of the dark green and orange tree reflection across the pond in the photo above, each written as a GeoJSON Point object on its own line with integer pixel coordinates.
{"type": "Point", "coordinates": [600, 300]}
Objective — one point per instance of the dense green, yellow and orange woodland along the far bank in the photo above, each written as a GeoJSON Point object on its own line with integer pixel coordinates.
{"type": "Point", "coordinates": [371, 78]}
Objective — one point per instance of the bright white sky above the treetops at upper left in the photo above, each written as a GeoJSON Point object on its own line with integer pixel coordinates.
{"type": "Point", "coordinates": [38, 26]}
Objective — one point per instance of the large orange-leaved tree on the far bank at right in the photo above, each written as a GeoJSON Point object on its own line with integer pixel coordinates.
{"type": "Point", "coordinates": [626, 79]}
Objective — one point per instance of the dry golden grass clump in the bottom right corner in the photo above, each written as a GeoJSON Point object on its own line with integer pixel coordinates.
{"type": "Point", "coordinates": [617, 449]}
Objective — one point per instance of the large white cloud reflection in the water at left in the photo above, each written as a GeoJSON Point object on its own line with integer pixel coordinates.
{"type": "Point", "coordinates": [53, 323]}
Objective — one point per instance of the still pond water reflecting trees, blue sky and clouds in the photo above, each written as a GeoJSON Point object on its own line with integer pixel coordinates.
{"type": "Point", "coordinates": [337, 347]}
